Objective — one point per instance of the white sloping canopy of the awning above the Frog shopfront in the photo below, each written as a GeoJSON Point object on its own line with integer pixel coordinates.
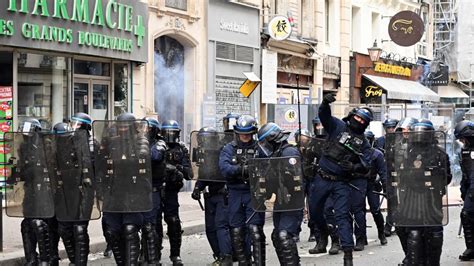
{"type": "Point", "coordinates": [404, 89]}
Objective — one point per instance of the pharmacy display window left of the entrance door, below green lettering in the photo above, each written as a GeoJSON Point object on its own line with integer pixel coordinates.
{"type": "Point", "coordinates": [42, 88]}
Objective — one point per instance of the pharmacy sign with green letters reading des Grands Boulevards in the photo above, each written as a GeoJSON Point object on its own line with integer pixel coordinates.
{"type": "Point", "coordinates": [106, 28]}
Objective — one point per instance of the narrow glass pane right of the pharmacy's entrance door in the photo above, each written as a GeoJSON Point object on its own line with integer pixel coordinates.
{"type": "Point", "coordinates": [120, 88]}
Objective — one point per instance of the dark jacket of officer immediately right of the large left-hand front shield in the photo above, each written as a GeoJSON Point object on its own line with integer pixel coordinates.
{"type": "Point", "coordinates": [158, 163]}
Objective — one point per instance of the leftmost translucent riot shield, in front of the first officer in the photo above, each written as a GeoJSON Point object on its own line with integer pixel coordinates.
{"type": "Point", "coordinates": [29, 190]}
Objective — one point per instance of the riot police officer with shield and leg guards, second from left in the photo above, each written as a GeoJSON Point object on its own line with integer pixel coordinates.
{"type": "Point", "coordinates": [73, 166]}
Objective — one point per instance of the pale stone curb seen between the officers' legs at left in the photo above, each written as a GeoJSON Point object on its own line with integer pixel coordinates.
{"type": "Point", "coordinates": [96, 245]}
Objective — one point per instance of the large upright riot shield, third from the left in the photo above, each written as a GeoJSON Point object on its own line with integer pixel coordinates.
{"type": "Point", "coordinates": [123, 166]}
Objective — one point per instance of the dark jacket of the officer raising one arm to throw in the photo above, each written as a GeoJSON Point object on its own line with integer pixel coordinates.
{"type": "Point", "coordinates": [335, 128]}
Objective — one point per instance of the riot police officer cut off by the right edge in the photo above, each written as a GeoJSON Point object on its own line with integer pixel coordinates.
{"type": "Point", "coordinates": [464, 133]}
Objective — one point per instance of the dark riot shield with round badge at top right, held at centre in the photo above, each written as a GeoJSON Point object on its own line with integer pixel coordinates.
{"type": "Point", "coordinates": [276, 179]}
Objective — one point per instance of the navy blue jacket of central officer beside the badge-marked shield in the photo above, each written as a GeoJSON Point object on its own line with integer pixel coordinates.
{"type": "Point", "coordinates": [231, 161]}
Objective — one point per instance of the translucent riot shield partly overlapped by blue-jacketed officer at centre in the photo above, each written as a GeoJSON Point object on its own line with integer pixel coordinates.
{"type": "Point", "coordinates": [205, 150]}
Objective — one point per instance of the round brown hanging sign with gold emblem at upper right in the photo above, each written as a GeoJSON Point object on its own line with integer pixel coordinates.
{"type": "Point", "coordinates": [406, 28]}
